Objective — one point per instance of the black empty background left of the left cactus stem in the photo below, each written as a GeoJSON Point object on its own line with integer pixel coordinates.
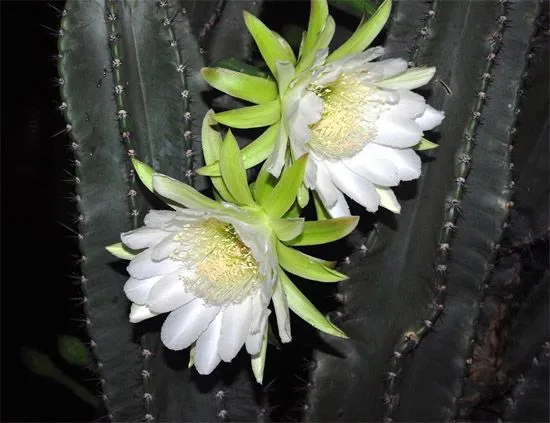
{"type": "Point", "coordinates": [39, 300]}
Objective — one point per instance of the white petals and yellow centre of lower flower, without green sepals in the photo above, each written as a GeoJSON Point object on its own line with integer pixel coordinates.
{"type": "Point", "coordinates": [213, 273]}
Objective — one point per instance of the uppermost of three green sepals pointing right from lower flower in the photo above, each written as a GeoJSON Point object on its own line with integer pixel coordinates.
{"type": "Point", "coordinates": [324, 231]}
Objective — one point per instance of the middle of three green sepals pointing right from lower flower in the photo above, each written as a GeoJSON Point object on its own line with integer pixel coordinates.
{"type": "Point", "coordinates": [306, 267]}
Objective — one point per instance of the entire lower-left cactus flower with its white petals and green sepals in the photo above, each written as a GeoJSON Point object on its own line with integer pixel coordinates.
{"type": "Point", "coordinates": [216, 266]}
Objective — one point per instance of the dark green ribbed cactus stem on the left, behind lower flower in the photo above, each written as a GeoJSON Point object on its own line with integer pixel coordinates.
{"type": "Point", "coordinates": [130, 86]}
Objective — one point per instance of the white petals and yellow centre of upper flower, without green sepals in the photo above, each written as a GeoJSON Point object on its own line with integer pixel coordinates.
{"type": "Point", "coordinates": [358, 120]}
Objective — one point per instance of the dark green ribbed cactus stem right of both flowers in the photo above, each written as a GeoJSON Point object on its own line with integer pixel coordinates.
{"type": "Point", "coordinates": [420, 291]}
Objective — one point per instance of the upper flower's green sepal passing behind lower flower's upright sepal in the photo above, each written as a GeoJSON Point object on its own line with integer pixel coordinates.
{"type": "Point", "coordinates": [254, 153]}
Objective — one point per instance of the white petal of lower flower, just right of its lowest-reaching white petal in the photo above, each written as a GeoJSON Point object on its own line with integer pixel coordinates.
{"type": "Point", "coordinates": [235, 328]}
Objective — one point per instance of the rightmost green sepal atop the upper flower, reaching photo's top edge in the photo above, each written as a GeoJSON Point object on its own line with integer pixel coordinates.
{"type": "Point", "coordinates": [365, 34]}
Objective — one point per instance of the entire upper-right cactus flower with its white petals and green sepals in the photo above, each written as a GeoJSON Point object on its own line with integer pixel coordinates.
{"type": "Point", "coordinates": [357, 119]}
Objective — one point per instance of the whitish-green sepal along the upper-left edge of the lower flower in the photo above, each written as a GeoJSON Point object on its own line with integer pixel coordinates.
{"type": "Point", "coordinates": [182, 194]}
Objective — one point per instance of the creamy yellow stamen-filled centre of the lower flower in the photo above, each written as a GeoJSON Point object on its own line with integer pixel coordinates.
{"type": "Point", "coordinates": [221, 268]}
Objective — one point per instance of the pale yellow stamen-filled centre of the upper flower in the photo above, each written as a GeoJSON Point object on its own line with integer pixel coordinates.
{"type": "Point", "coordinates": [348, 122]}
